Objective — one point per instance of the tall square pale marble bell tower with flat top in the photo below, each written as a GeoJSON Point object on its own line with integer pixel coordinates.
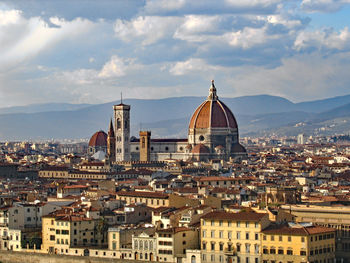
{"type": "Point", "coordinates": [122, 132]}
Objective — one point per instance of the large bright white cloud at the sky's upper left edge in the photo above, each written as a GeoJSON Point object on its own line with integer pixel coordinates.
{"type": "Point", "coordinates": [21, 38]}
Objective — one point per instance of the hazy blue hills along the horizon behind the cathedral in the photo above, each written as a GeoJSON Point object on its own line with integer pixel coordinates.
{"type": "Point", "coordinates": [256, 115]}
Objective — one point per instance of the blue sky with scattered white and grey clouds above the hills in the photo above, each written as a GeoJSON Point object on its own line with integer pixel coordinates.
{"type": "Point", "coordinates": [87, 51]}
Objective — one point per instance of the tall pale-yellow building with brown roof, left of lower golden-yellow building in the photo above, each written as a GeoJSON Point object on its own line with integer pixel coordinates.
{"type": "Point", "coordinates": [232, 237]}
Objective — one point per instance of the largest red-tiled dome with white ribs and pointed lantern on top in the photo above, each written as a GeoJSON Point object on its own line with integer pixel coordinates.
{"type": "Point", "coordinates": [212, 113]}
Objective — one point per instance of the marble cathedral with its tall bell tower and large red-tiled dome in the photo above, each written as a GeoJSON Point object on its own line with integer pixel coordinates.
{"type": "Point", "coordinates": [212, 134]}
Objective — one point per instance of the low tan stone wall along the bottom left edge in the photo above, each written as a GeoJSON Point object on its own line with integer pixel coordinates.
{"type": "Point", "coordinates": [20, 257]}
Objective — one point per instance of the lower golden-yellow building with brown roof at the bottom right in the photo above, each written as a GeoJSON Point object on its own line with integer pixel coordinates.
{"type": "Point", "coordinates": [298, 244]}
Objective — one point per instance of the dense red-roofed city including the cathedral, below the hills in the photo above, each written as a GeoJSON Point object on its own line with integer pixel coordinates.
{"type": "Point", "coordinates": [229, 200]}
